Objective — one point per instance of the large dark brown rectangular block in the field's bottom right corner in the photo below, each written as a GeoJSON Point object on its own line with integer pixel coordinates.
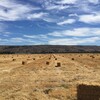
{"type": "Point", "coordinates": [88, 92]}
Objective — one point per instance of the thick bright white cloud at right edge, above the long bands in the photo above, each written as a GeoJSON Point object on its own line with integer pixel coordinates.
{"type": "Point", "coordinates": [90, 18]}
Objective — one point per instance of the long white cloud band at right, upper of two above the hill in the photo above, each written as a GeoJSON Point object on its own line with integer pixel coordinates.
{"type": "Point", "coordinates": [79, 32]}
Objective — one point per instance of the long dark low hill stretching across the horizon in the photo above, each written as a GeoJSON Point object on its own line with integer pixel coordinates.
{"type": "Point", "coordinates": [48, 49]}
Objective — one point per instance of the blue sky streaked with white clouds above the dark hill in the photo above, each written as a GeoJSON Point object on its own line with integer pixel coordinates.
{"type": "Point", "coordinates": [50, 22]}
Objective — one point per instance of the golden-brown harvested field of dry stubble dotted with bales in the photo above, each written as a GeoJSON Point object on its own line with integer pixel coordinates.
{"type": "Point", "coordinates": [47, 76]}
